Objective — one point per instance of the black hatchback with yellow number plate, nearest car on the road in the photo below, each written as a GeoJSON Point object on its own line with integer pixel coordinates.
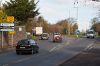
{"type": "Point", "coordinates": [26, 46]}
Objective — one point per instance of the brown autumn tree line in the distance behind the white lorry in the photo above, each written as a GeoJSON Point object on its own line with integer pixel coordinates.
{"type": "Point", "coordinates": [62, 26]}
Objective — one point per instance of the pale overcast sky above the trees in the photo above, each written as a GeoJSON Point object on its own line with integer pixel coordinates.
{"type": "Point", "coordinates": [55, 10]}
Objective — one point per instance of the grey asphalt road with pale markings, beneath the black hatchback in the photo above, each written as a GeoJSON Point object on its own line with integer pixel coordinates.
{"type": "Point", "coordinates": [50, 54]}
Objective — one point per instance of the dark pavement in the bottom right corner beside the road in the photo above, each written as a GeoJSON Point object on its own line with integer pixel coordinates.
{"type": "Point", "coordinates": [89, 57]}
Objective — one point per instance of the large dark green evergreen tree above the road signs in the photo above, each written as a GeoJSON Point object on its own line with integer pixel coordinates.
{"type": "Point", "coordinates": [21, 9]}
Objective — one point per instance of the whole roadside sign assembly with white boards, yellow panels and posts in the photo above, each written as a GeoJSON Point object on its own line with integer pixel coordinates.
{"type": "Point", "coordinates": [7, 26]}
